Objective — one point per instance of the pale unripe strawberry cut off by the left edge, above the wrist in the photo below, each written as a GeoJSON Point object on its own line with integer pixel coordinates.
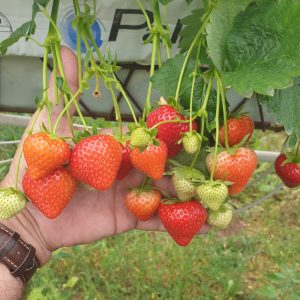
{"type": "Point", "coordinates": [12, 202]}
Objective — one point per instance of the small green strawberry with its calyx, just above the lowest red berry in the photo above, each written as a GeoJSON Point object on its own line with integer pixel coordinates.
{"type": "Point", "coordinates": [183, 180]}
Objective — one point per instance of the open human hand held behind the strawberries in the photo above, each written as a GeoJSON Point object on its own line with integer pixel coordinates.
{"type": "Point", "coordinates": [90, 215]}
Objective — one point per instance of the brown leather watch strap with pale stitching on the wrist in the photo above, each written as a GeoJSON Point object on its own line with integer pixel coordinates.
{"type": "Point", "coordinates": [18, 256]}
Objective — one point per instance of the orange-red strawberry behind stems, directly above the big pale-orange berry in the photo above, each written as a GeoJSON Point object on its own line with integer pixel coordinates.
{"type": "Point", "coordinates": [238, 128]}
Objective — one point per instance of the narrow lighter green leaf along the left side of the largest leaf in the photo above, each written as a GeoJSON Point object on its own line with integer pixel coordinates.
{"type": "Point", "coordinates": [221, 21]}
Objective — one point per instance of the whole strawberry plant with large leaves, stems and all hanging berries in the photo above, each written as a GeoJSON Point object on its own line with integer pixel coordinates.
{"type": "Point", "coordinates": [223, 45]}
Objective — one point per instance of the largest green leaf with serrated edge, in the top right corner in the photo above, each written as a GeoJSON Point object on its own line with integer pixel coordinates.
{"type": "Point", "coordinates": [262, 50]}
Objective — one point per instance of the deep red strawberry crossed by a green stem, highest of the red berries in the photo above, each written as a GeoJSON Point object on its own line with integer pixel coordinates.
{"type": "Point", "coordinates": [170, 133]}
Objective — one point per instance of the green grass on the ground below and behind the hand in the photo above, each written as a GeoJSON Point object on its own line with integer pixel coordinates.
{"type": "Point", "coordinates": [256, 258]}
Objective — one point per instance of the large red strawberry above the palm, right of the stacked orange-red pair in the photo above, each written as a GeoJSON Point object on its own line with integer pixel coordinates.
{"type": "Point", "coordinates": [95, 161]}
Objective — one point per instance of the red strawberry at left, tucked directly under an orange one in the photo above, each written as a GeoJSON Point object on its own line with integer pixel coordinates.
{"type": "Point", "coordinates": [52, 193]}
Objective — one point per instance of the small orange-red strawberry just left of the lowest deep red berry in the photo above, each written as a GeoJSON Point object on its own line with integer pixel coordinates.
{"type": "Point", "coordinates": [143, 203]}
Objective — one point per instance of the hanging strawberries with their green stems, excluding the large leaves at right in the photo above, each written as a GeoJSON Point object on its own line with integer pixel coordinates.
{"type": "Point", "coordinates": [188, 123]}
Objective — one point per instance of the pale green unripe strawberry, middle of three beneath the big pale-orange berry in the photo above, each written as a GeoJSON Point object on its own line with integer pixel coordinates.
{"type": "Point", "coordinates": [212, 194]}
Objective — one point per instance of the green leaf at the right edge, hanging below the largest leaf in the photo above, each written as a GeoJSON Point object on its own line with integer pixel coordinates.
{"type": "Point", "coordinates": [285, 105]}
